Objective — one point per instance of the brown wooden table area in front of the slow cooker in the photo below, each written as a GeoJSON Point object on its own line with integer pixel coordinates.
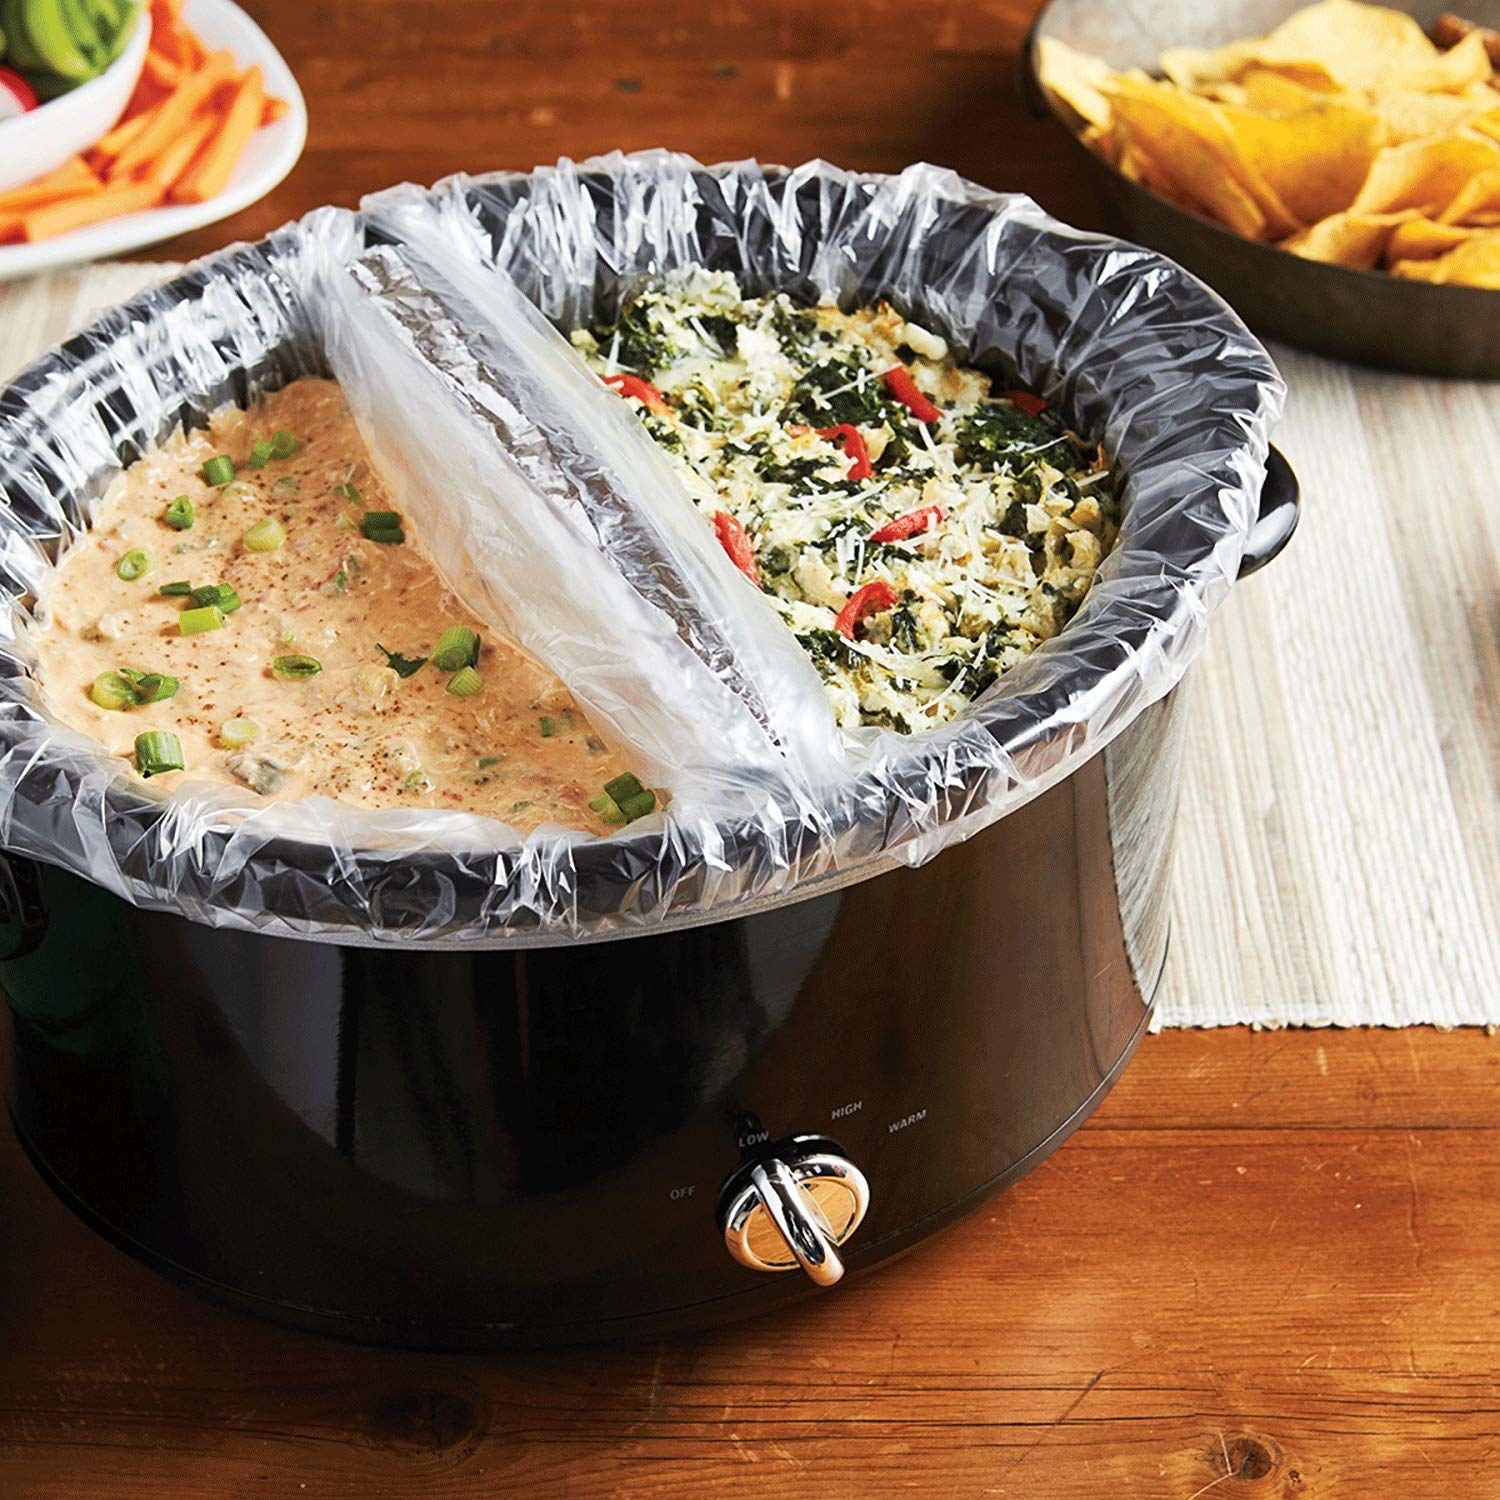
{"type": "Point", "coordinates": [1268, 1268]}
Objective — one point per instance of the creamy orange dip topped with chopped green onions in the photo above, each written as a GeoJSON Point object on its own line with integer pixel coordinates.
{"type": "Point", "coordinates": [250, 610]}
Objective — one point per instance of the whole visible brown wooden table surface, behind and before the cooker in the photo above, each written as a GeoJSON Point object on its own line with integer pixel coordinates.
{"type": "Point", "coordinates": [1268, 1268]}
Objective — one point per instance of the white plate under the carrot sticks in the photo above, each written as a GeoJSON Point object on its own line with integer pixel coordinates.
{"type": "Point", "coordinates": [268, 160]}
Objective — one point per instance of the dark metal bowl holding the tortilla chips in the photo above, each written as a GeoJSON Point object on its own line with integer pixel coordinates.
{"type": "Point", "coordinates": [1367, 317]}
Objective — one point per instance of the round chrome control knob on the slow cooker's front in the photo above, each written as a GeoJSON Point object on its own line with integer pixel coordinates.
{"type": "Point", "coordinates": [796, 1210]}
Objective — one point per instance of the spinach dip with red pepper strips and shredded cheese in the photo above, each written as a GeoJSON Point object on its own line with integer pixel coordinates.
{"type": "Point", "coordinates": [917, 533]}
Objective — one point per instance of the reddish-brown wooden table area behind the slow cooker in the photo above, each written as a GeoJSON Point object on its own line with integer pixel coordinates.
{"type": "Point", "coordinates": [409, 91]}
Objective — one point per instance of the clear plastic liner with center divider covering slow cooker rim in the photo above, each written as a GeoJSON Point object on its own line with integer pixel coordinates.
{"type": "Point", "coordinates": [425, 332]}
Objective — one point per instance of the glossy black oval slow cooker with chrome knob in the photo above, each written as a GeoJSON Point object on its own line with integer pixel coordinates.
{"type": "Point", "coordinates": [377, 1097]}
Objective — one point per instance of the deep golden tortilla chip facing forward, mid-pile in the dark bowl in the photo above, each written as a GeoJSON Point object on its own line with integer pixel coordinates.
{"type": "Point", "coordinates": [1315, 160]}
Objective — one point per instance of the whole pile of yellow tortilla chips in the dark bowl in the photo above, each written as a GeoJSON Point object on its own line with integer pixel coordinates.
{"type": "Point", "coordinates": [1346, 136]}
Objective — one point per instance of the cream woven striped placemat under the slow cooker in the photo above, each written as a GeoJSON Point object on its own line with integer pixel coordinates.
{"type": "Point", "coordinates": [1339, 853]}
